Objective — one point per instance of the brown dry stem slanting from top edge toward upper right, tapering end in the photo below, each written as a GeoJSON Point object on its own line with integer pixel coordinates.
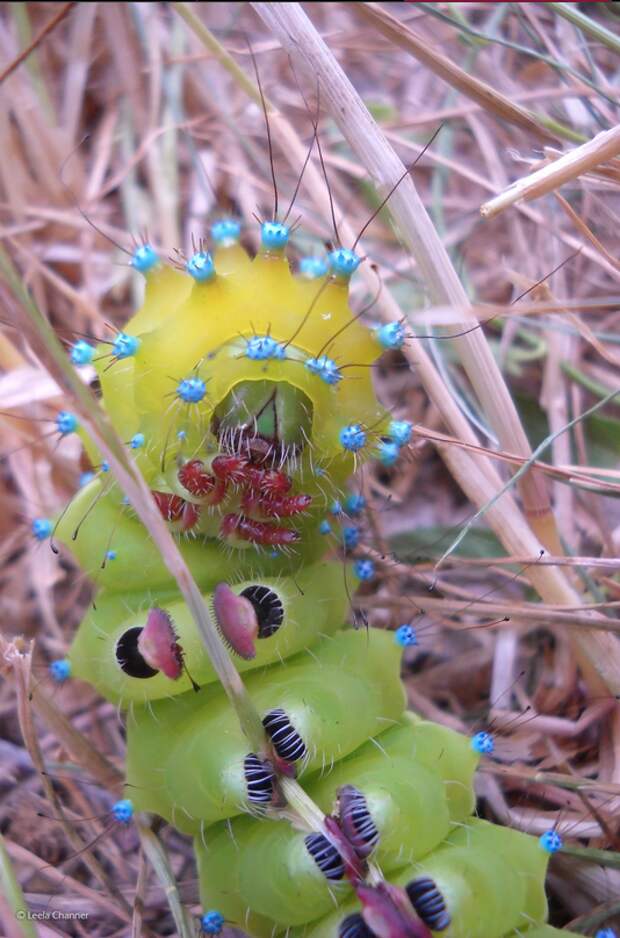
{"type": "Point", "coordinates": [487, 97]}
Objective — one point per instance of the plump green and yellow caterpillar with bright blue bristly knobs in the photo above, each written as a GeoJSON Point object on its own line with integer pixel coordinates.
{"type": "Point", "coordinates": [242, 389]}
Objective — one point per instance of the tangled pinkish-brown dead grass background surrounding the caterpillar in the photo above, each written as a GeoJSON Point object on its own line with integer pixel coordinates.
{"type": "Point", "coordinates": [121, 105]}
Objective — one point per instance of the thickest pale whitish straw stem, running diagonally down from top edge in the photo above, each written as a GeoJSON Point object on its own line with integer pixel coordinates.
{"type": "Point", "coordinates": [299, 37]}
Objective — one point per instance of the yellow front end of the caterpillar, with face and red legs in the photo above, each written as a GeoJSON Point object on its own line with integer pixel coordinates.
{"type": "Point", "coordinates": [245, 433]}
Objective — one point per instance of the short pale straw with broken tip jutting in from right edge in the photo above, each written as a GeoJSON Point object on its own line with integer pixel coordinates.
{"type": "Point", "coordinates": [602, 148]}
